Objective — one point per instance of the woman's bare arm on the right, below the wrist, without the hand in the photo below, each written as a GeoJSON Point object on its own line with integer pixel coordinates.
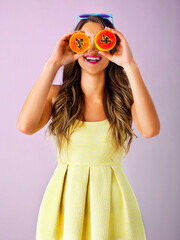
{"type": "Point", "coordinates": [143, 110]}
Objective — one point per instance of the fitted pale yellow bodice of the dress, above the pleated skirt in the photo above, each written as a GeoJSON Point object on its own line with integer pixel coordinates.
{"type": "Point", "coordinates": [89, 145]}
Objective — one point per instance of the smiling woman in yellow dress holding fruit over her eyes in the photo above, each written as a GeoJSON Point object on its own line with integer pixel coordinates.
{"type": "Point", "coordinates": [89, 196]}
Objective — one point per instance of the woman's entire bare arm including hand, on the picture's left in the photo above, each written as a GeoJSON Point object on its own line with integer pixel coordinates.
{"type": "Point", "coordinates": [37, 108]}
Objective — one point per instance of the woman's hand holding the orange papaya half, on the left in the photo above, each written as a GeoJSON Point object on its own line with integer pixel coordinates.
{"type": "Point", "coordinates": [62, 53]}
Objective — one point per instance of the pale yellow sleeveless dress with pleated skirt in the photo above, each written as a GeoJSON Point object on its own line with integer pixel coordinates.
{"type": "Point", "coordinates": [89, 196]}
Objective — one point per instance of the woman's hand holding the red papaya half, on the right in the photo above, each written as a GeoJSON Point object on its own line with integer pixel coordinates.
{"type": "Point", "coordinates": [123, 54]}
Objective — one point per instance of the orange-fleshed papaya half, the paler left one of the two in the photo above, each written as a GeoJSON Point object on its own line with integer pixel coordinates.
{"type": "Point", "coordinates": [79, 42]}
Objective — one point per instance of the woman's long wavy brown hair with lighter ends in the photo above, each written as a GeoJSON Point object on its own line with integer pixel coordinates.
{"type": "Point", "coordinates": [68, 104]}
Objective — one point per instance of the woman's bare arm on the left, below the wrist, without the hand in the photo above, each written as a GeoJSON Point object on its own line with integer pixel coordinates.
{"type": "Point", "coordinates": [37, 108]}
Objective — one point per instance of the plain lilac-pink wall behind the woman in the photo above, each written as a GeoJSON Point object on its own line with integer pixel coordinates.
{"type": "Point", "coordinates": [28, 33]}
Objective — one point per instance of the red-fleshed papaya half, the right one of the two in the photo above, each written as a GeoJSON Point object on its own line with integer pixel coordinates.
{"type": "Point", "coordinates": [105, 40]}
